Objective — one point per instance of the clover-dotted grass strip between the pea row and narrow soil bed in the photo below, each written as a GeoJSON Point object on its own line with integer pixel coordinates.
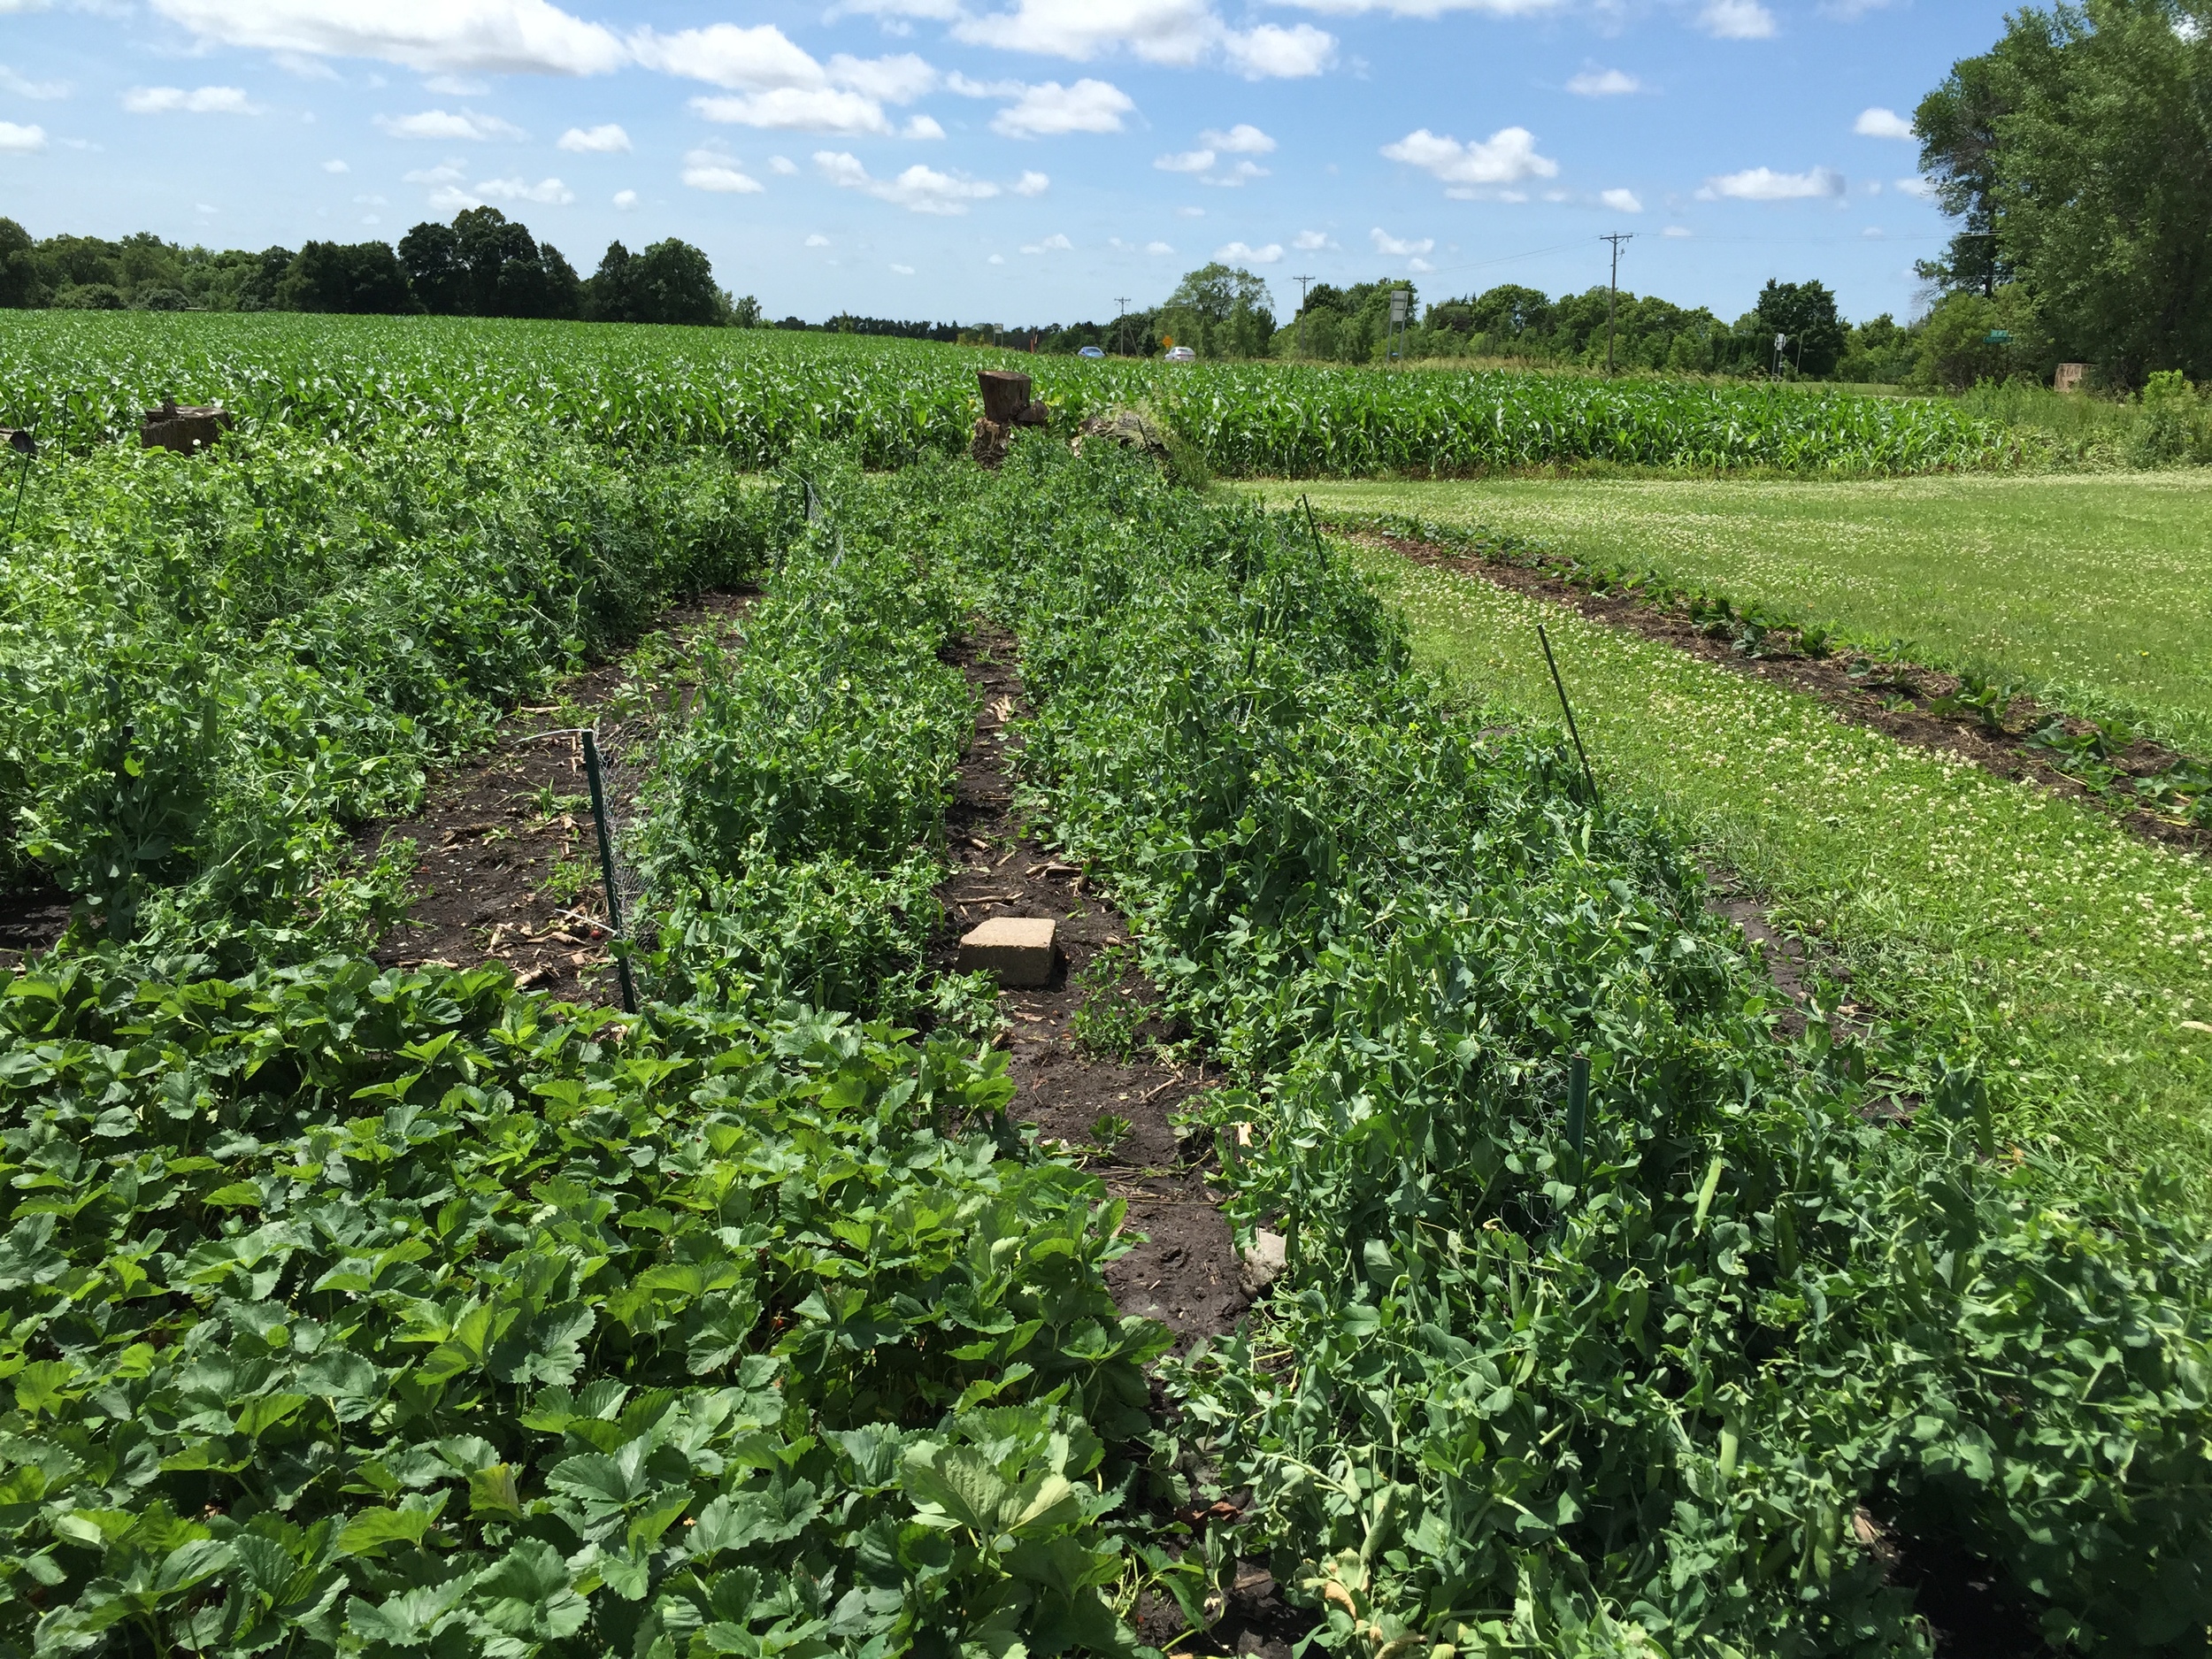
{"type": "Point", "coordinates": [2030, 932]}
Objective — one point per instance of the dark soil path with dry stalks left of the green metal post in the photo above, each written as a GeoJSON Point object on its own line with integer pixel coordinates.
{"type": "Point", "coordinates": [505, 881]}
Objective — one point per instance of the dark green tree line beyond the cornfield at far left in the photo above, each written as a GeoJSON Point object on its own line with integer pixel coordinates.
{"type": "Point", "coordinates": [483, 264]}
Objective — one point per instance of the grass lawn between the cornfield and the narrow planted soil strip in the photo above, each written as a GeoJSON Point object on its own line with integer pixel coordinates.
{"type": "Point", "coordinates": [2091, 589]}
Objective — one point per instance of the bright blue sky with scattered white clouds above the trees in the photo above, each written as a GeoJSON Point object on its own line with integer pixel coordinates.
{"type": "Point", "coordinates": [1014, 160]}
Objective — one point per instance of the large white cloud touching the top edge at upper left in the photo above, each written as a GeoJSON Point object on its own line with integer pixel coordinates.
{"type": "Point", "coordinates": [488, 36]}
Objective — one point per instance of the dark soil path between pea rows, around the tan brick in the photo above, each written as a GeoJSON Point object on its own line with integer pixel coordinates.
{"type": "Point", "coordinates": [1185, 1273]}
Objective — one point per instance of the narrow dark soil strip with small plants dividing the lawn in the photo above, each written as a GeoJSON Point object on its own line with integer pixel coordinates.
{"type": "Point", "coordinates": [1888, 702]}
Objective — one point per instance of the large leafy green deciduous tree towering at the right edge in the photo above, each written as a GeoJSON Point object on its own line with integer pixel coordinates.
{"type": "Point", "coordinates": [2078, 154]}
